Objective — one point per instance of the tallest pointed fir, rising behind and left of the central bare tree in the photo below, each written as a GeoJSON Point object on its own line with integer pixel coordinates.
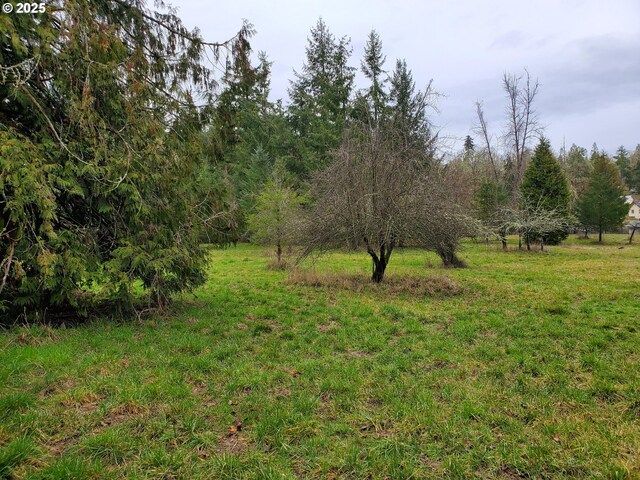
{"type": "Point", "coordinates": [320, 99]}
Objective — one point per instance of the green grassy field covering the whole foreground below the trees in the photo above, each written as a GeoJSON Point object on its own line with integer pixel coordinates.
{"type": "Point", "coordinates": [530, 369]}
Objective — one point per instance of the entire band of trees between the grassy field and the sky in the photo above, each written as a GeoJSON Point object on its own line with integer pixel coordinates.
{"type": "Point", "coordinates": [122, 152]}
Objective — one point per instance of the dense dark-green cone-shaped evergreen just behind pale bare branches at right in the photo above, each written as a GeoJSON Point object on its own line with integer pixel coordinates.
{"type": "Point", "coordinates": [545, 186]}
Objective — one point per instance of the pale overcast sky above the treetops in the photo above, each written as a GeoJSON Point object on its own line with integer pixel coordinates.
{"type": "Point", "coordinates": [585, 53]}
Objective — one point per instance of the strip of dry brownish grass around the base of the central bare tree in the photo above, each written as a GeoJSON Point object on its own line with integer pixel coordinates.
{"type": "Point", "coordinates": [413, 285]}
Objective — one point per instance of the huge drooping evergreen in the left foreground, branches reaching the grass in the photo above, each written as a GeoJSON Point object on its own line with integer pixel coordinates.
{"type": "Point", "coordinates": [101, 158]}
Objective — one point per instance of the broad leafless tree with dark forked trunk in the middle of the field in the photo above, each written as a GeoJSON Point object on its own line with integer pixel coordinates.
{"type": "Point", "coordinates": [376, 194]}
